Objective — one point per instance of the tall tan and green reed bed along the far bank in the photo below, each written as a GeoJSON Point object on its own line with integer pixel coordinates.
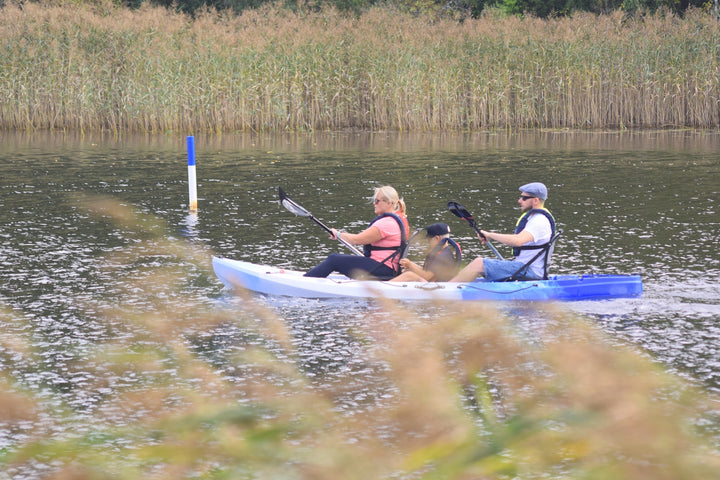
{"type": "Point", "coordinates": [102, 68]}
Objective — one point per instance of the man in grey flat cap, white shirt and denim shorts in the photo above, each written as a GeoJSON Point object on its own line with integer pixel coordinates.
{"type": "Point", "coordinates": [533, 232]}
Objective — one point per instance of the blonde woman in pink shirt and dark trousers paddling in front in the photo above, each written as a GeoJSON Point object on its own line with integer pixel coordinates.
{"type": "Point", "coordinates": [384, 242]}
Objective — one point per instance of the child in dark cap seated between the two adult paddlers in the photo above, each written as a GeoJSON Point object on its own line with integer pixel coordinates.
{"type": "Point", "coordinates": [441, 262]}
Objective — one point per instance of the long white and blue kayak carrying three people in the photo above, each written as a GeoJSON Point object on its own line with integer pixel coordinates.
{"type": "Point", "coordinates": [277, 281]}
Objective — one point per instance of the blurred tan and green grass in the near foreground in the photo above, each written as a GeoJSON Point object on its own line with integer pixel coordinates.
{"type": "Point", "coordinates": [466, 395]}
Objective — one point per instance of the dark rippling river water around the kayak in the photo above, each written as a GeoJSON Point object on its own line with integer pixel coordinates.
{"type": "Point", "coordinates": [644, 203]}
